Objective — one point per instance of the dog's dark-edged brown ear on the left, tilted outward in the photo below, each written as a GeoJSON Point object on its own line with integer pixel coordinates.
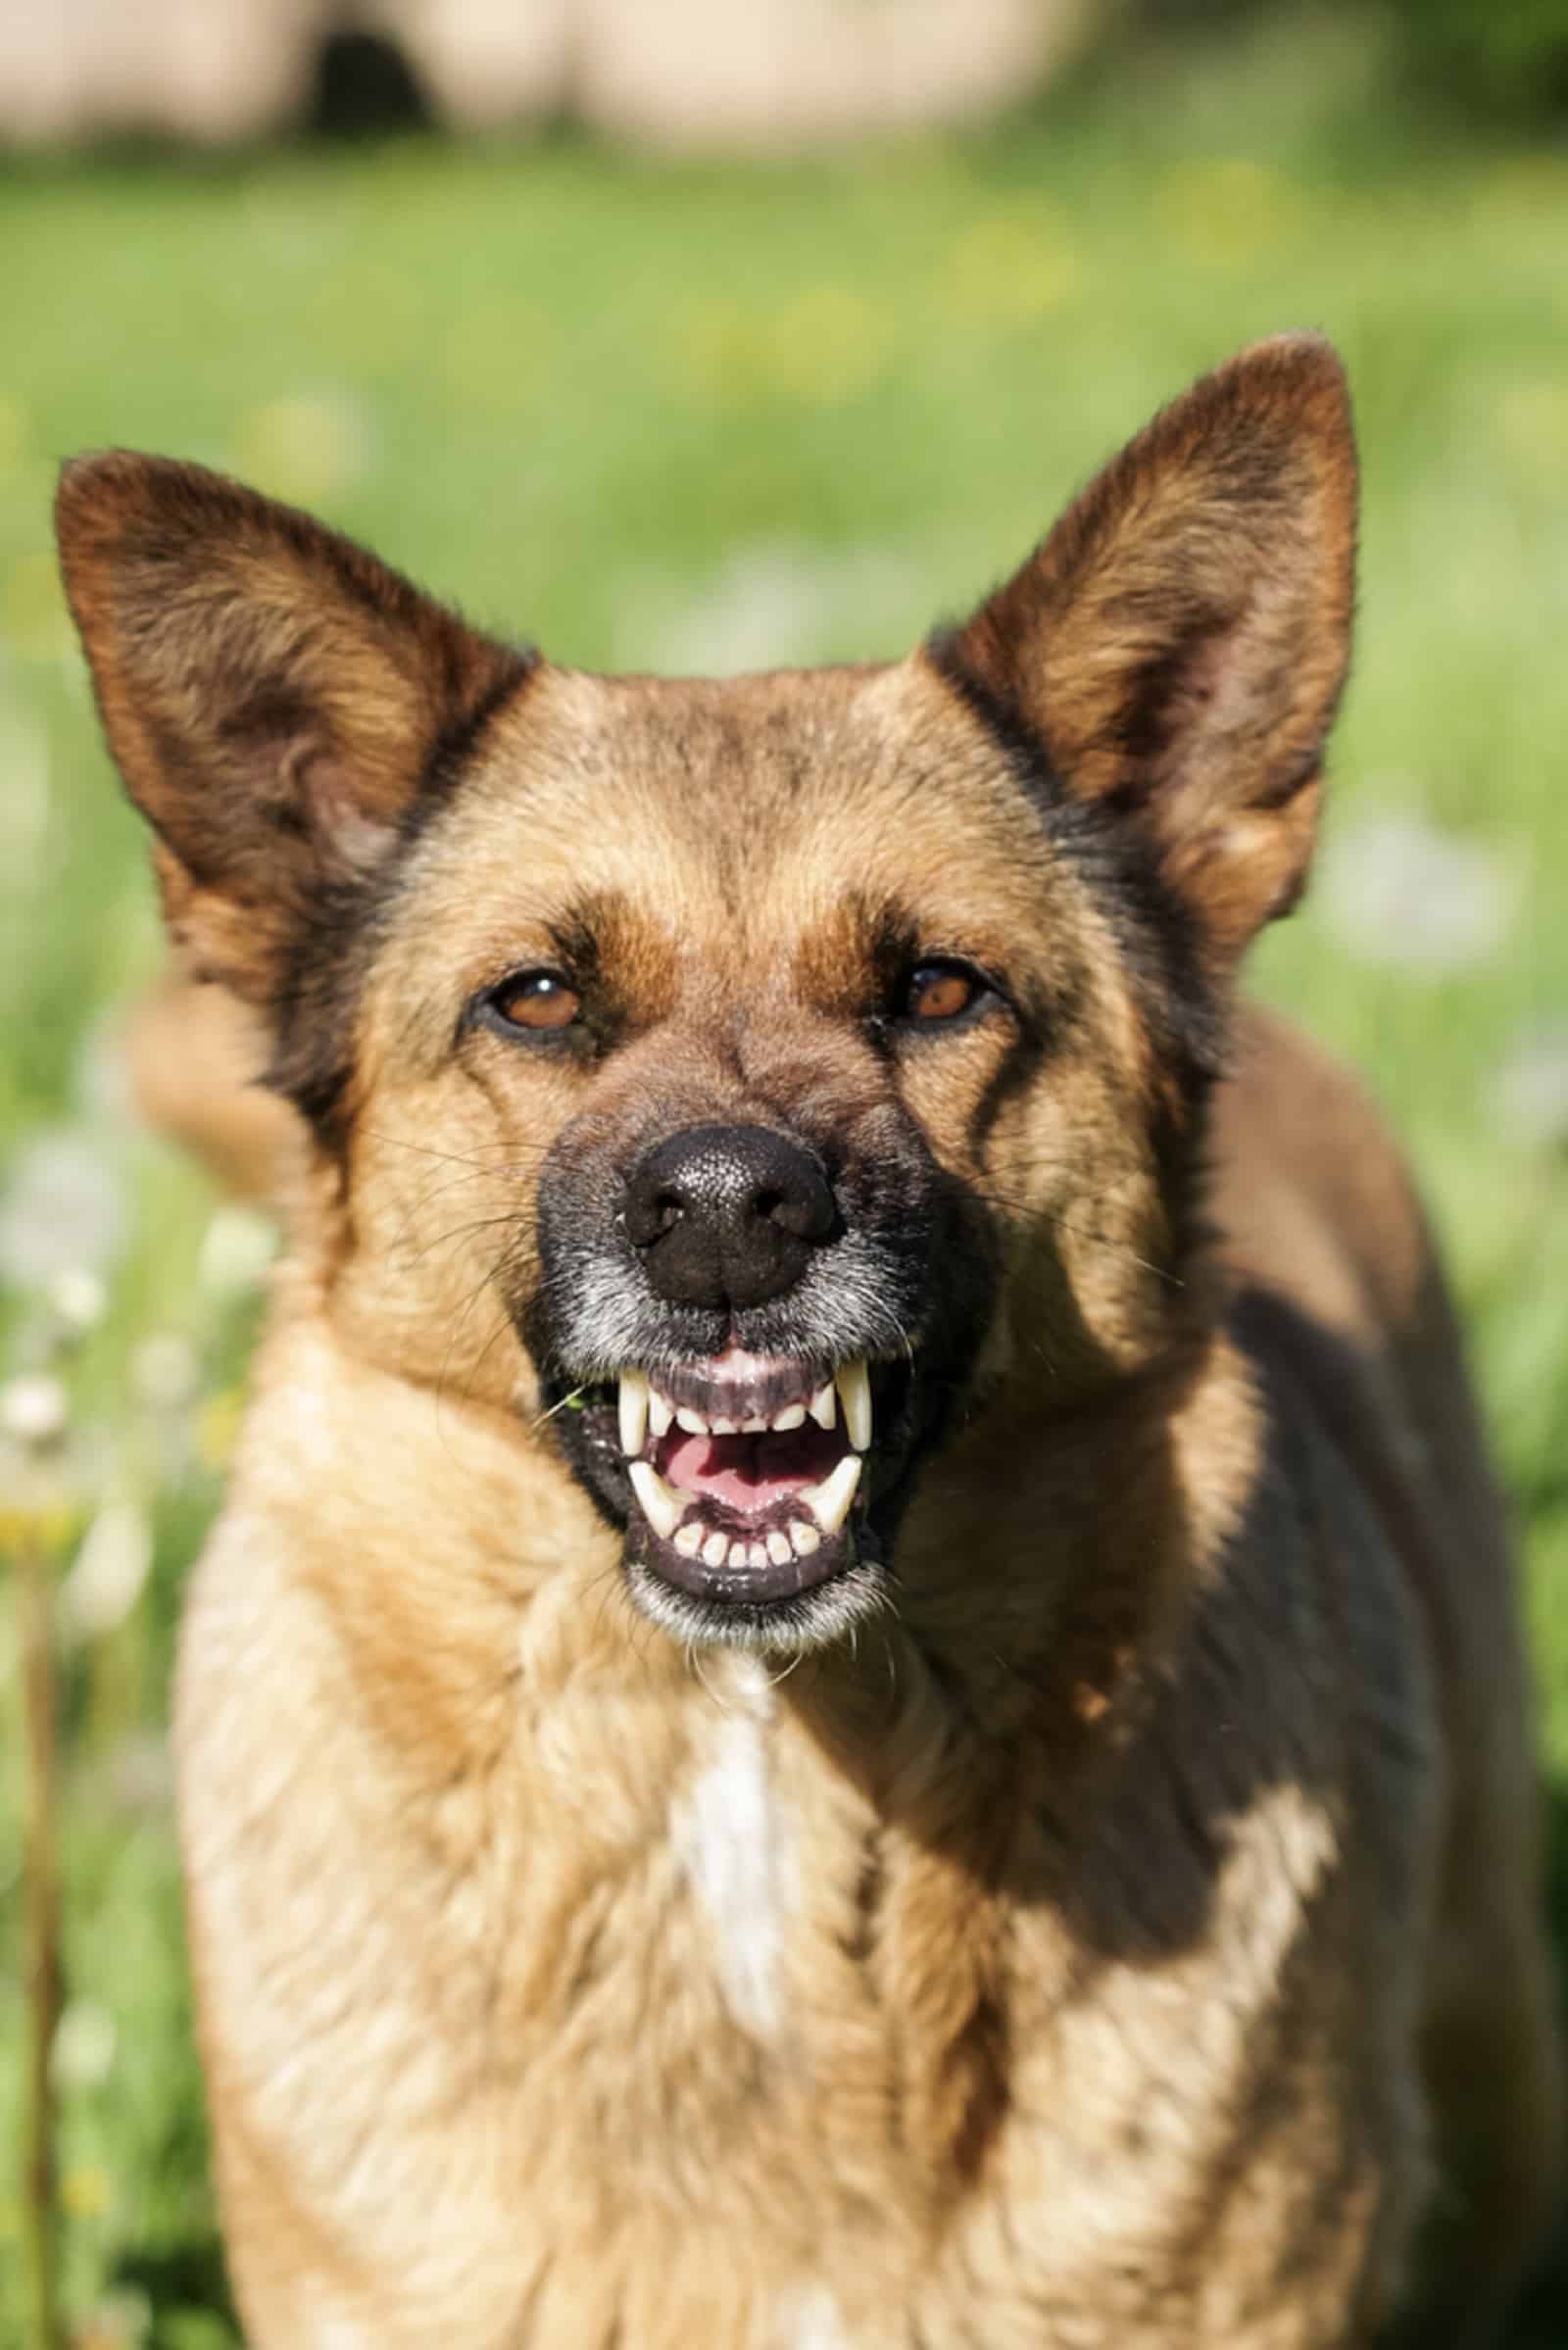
{"type": "Point", "coordinates": [276, 699]}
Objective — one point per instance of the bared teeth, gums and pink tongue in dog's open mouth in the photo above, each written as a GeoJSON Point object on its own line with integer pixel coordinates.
{"type": "Point", "coordinates": [746, 1470]}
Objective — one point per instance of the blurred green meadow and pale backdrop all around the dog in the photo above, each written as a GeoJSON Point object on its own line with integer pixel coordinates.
{"type": "Point", "coordinates": [697, 337]}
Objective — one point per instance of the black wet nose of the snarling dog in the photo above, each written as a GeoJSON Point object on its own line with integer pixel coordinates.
{"type": "Point", "coordinates": [728, 1216]}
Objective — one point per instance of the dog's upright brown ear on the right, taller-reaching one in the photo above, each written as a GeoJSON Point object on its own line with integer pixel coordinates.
{"type": "Point", "coordinates": [1179, 643]}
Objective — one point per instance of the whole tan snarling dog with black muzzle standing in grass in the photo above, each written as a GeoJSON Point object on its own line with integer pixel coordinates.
{"type": "Point", "coordinates": [859, 1684]}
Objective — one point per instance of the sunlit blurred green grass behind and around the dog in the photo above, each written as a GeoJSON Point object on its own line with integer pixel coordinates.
{"type": "Point", "coordinates": [641, 410]}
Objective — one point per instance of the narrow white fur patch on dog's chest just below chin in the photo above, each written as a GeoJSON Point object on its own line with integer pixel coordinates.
{"type": "Point", "coordinates": [730, 1844]}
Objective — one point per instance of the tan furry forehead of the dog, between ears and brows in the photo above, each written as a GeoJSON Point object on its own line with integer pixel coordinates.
{"type": "Point", "coordinates": [763, 798]}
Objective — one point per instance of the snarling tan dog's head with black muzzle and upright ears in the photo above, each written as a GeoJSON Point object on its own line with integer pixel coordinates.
{"type": "Point", "coordinates": [760, 1080]}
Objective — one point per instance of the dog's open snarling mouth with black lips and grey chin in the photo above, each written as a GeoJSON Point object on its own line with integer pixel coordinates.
{"type": "Point", "coordinates": [758, 1493]}
